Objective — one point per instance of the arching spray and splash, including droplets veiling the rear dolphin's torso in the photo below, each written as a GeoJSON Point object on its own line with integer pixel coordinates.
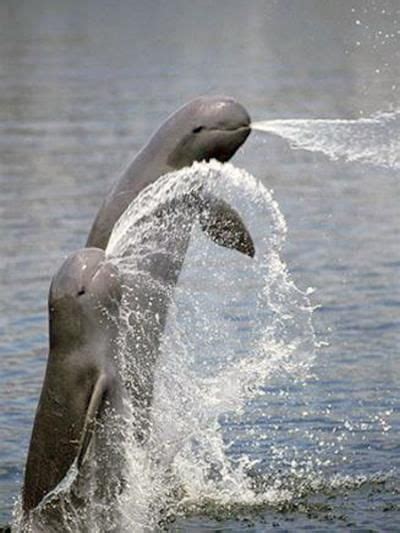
{"type": "Point", "coordinates": [234, 325]}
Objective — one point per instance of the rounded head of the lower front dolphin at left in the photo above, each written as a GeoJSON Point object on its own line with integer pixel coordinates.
{"type": "Point", "coordinates": [83, 299]}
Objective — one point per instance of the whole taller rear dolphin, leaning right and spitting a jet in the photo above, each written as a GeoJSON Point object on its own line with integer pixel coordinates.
{"type": "Point", "coordinates": [204, 129]}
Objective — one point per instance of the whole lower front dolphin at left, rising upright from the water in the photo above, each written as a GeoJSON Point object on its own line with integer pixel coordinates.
{"type": "Point", "coordinates": [81, 397]}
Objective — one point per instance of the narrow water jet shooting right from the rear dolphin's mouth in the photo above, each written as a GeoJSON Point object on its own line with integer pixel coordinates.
{"type": "Point", "coordinates": [373, 140]}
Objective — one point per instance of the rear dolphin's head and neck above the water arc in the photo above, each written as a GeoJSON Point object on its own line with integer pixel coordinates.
{"type": "Point", "coordinates": [209, 127]}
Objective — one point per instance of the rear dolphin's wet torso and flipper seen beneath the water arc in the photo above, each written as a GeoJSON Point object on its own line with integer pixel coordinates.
{"type": "Point", "coordinates": [160, 250]}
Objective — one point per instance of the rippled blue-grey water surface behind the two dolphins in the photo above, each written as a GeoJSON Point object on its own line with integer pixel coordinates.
{"type": "Point", "coordinates": [83, 85]}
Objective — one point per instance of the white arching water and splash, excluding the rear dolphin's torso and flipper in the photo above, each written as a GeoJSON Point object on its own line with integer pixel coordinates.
{"type": "Point", "coordinates": [234, 325]}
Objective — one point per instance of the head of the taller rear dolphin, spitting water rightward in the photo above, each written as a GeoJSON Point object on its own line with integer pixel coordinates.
{"type": "Point", "coordinates": [209, 127]}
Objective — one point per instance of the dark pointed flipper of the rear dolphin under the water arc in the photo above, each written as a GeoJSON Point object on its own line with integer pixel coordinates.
{"type": "Point", "coordinates": [224, 226]}
